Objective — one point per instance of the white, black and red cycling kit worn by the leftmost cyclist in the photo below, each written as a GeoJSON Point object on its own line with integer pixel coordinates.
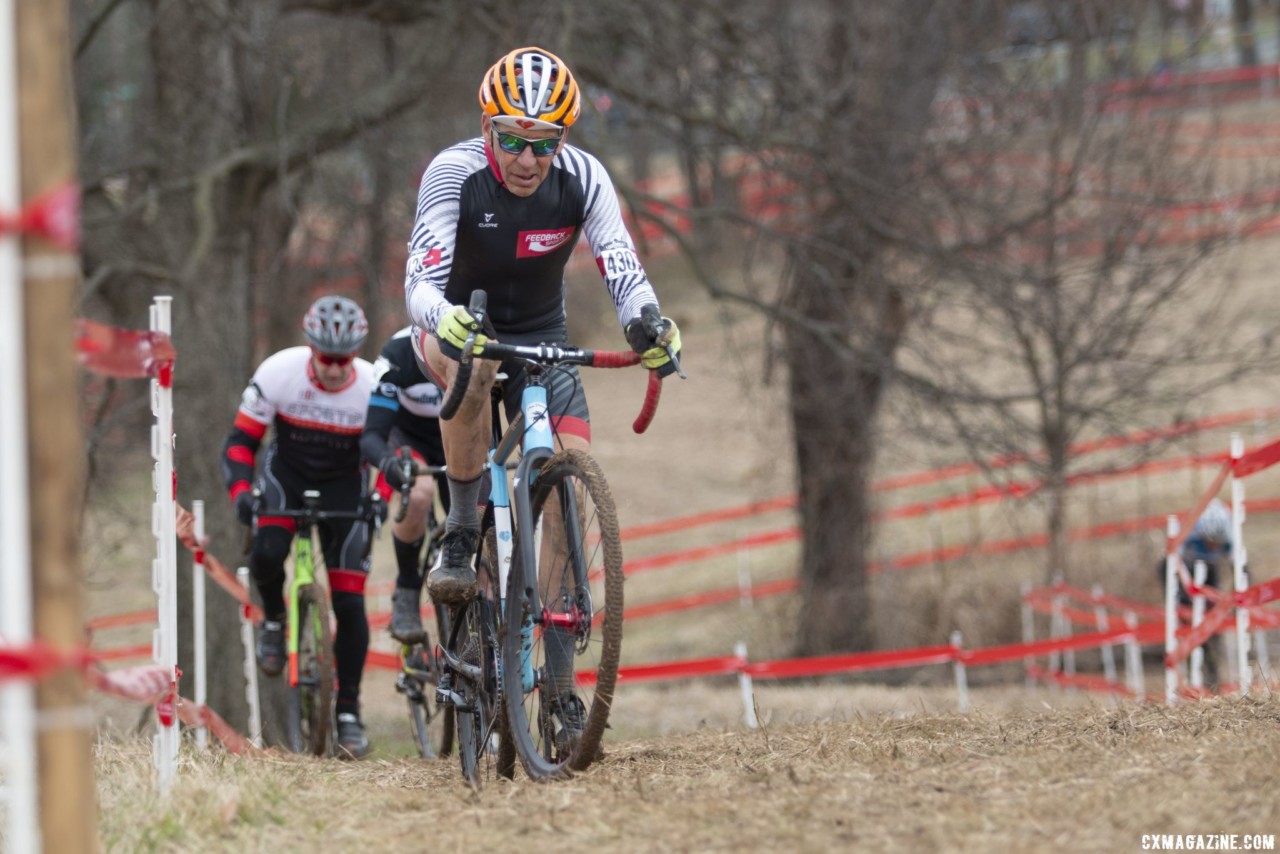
{"type": "Point", "coordinates": [316, 446]}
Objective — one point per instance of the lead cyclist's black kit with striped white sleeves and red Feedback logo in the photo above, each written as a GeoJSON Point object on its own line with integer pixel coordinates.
{"type": "Point", "coordinates": [472, 234]}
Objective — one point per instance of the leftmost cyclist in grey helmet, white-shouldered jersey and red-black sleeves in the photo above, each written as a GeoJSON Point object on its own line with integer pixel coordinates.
{"type": "Point", "coordinates": [313, 399]}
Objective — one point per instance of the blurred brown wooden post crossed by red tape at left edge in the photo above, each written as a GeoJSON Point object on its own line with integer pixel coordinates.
{"type": "Point", "coordinates": [48, 150]}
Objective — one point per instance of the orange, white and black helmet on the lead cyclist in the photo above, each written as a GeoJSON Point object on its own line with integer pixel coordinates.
{"type": "Point", "coordinates": [531, 89]}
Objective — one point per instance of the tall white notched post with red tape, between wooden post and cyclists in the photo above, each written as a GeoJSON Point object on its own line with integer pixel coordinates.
{"type": "Point", "coordinates": [166, 577]}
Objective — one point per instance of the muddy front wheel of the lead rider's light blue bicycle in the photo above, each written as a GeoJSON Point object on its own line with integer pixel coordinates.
{"type": "Point", "coordinates": [564, 619]}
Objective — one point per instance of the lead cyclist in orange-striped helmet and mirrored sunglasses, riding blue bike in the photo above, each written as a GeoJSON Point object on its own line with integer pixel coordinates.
{"type": "Point", "coordinates": [502, 213]}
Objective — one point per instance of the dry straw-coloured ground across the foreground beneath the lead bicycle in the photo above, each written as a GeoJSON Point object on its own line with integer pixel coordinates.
{"type": "Point", "coordinates": [1092, 779]}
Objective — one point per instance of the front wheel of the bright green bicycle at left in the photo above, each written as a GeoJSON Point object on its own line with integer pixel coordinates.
{"type": "Point", "coordinates": [312, 675]}
